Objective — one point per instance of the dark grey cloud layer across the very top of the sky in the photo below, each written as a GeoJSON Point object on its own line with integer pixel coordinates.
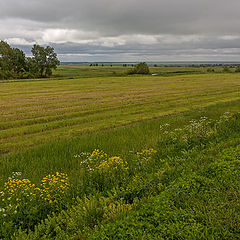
{"type": "Point", "coordinates": [130, 16]}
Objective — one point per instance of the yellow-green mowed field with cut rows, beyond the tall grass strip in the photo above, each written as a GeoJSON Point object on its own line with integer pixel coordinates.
{"type": "Point", "coordinates": [37, 111]}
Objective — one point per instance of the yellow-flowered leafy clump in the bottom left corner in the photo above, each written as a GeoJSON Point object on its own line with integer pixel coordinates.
{"type": "Point", "coordinates": [23, 204]}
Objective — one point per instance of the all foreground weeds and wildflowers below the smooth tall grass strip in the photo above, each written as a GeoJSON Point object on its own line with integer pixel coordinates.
{"type": "Point", "coordinates": [187, 187]}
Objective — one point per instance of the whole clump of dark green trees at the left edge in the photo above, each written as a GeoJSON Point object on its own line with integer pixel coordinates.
{"type": "Point", "coordinates": [14, 63]}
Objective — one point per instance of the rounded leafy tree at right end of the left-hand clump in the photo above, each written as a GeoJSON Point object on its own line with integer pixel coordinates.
{"type": "Point", "coordinates": [44, 60]}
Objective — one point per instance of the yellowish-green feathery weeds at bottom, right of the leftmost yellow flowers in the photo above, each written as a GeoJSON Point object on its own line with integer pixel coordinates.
{"type": "Point", "coordinates": [84, 216]}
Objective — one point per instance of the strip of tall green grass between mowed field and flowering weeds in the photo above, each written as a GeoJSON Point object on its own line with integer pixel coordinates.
{"type": "Point", "coordinates": [59, 155]}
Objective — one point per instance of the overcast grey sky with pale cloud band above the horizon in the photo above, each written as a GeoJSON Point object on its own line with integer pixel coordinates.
{"type": "Point", "coordinates": [125, 30]}
